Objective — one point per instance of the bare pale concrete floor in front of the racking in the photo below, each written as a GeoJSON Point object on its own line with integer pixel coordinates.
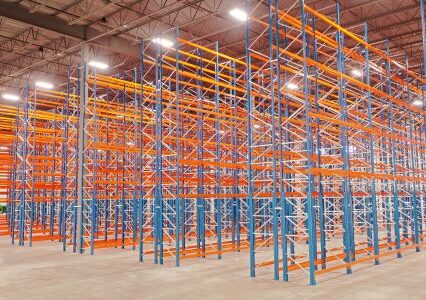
{"type": "Point", "coordinates": [44, 272]}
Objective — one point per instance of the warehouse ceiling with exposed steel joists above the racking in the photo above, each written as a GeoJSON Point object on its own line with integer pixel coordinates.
{"type": "Point", "coordinates": [40, 38]}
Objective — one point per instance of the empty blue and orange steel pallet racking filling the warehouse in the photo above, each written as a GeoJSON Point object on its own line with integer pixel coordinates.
{"type": "Point", "coordinates": [307, 153]}
